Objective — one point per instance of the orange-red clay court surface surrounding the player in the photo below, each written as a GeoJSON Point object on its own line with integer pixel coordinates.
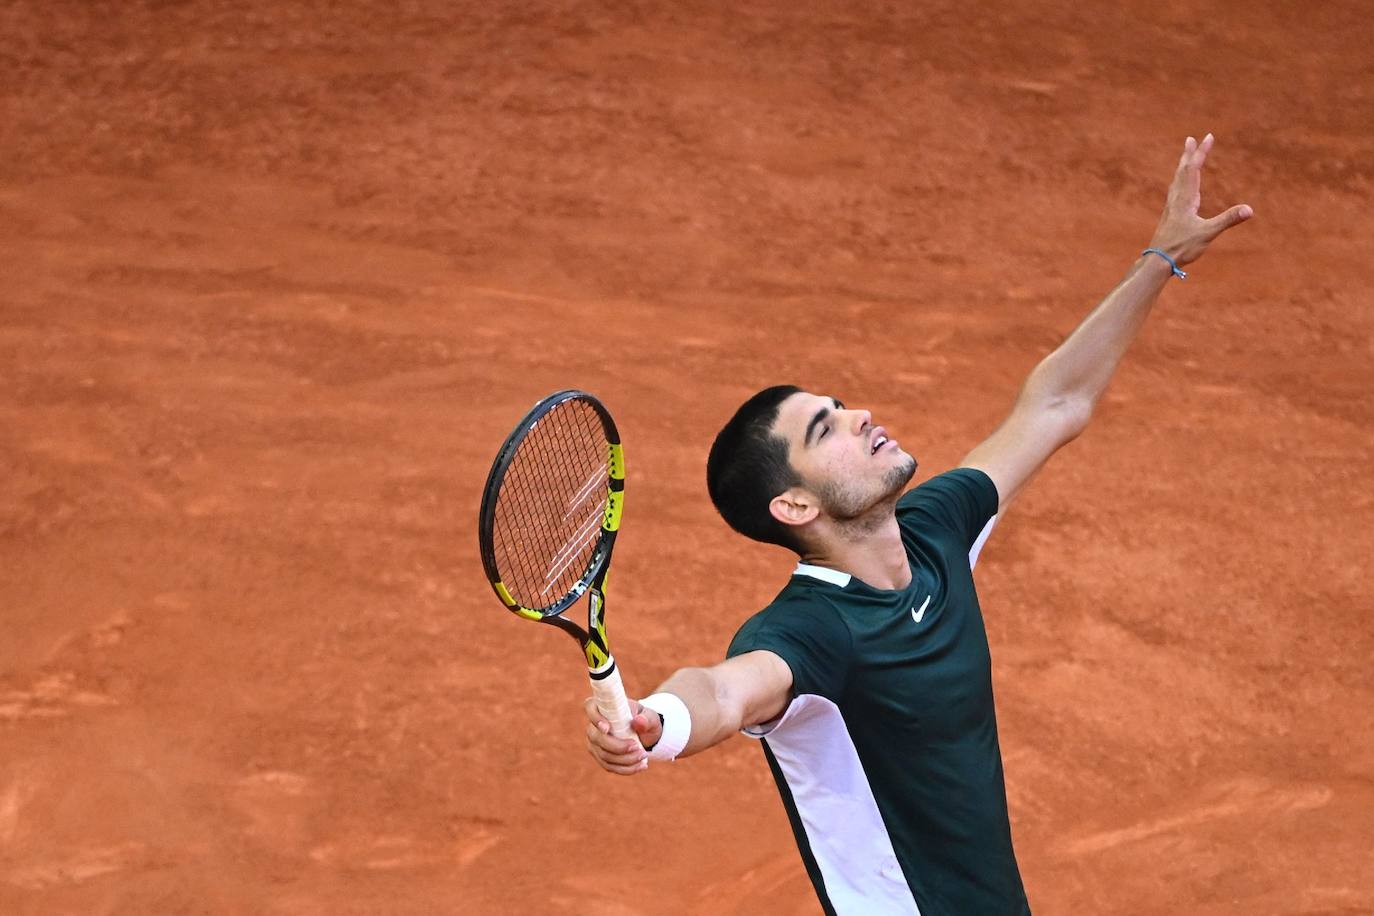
{"type": "Point", "coordinates": [280, 277]}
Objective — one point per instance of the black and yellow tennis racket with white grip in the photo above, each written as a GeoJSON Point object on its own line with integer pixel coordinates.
{"type": "Point", "coordinates": [549, 521]}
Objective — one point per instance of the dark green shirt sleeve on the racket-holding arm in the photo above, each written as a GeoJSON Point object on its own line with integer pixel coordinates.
{"type": "Point", "coordinates": [810, 638]}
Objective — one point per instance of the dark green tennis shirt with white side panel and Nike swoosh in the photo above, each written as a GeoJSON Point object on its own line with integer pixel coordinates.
{"type": "Point", "coordinates": [887, 759]}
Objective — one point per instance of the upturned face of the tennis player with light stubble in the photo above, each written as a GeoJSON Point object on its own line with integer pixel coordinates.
{"type": "Point", "coordinates": [843, 458]}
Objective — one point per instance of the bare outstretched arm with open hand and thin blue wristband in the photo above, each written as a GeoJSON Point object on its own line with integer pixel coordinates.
{"type": "Point", "coordinates": [1059, 398]}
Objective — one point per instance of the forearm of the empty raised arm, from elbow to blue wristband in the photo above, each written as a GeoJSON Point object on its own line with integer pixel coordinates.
{"type": "Point", "coordinates": [1079, 370]}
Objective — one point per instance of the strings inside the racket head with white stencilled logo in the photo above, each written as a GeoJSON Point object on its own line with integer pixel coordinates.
{"type": "Point", "coordinates": [549, 512]}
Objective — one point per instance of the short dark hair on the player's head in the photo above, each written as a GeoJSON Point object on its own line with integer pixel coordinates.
{"type": "Point", "coordinates": [748, 466]}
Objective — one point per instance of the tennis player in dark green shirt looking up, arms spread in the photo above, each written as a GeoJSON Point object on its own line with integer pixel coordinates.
{"type": "Point", "coordinates": [869, 679]}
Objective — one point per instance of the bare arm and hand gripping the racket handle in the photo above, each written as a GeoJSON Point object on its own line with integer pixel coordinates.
{"type": "Point", "coordinates": [747, 690]}
